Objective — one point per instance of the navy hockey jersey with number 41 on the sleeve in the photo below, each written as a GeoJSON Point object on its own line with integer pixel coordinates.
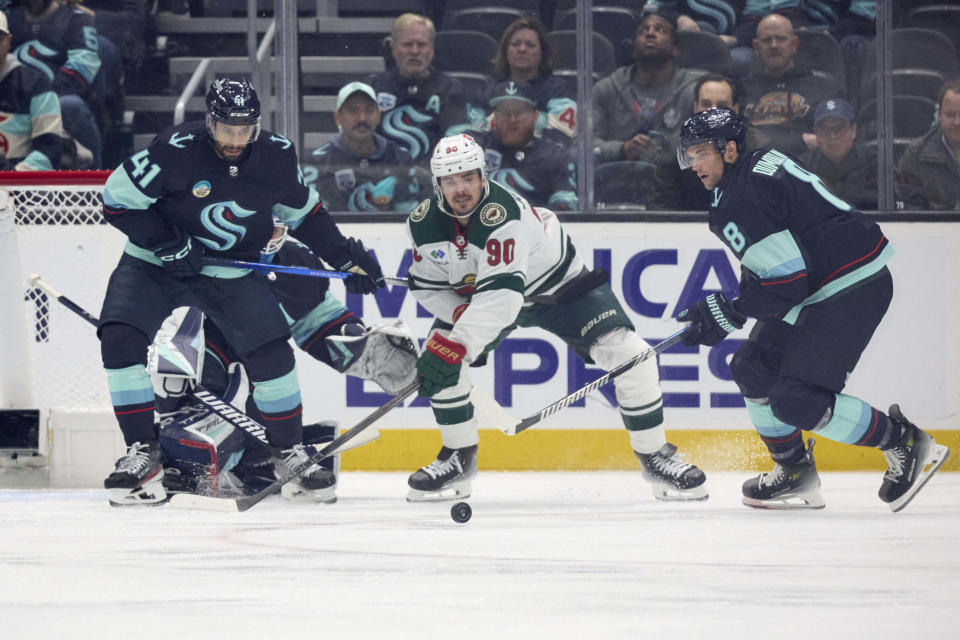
{"type": "Point", "coordinates": [179, 180]}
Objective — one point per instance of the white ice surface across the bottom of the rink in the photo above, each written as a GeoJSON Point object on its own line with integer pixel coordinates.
{"type": "Point", "coordinates": [546, 555]}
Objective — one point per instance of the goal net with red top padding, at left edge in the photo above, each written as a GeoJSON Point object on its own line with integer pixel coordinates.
{"type": "Point", "coordinates": [51, 225]}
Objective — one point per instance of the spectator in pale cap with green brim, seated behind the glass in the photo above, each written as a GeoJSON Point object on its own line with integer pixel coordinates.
{"type": "Point", "coordinates": [360, 170]}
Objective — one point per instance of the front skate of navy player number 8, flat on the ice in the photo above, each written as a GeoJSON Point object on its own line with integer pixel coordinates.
{"type": "Point", "coordinates": [787, 486]}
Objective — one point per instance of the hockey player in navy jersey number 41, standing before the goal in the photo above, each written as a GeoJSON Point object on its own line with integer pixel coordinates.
{"type": "Point", "coordinates": [211, 186]}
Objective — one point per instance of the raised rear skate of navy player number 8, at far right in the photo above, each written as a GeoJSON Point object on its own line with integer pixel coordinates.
{"type": "Point", "coordinates": [912, 461]}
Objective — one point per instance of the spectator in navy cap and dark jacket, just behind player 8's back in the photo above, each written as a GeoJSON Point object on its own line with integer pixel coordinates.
{"type": "Point", "coordinates": [847, 167]}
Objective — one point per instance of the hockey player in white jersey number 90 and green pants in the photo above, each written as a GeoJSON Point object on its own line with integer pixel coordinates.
{"type": "Point", "coordinates": [486, 262]}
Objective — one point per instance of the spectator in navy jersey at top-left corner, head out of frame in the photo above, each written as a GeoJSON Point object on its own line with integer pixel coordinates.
{"type": "Point", "coordinates": [62, 43]}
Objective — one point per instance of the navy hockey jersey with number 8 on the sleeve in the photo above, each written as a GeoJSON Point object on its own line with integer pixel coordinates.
{"type": "Point", "coordinates": [797, 242]}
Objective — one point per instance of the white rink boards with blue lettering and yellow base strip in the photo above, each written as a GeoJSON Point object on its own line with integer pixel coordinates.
{"type": "Point", "coordinates": [658, 269]}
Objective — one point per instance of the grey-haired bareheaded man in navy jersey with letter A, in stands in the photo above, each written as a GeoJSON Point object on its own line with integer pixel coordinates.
{"type": "Point", "coordinates": [419, 103]}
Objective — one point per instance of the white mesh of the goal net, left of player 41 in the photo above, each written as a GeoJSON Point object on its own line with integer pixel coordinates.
{"type": "Point", "coordinates": [61, 236]}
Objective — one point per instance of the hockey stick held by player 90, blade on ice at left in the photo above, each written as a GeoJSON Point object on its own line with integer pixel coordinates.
{"type": "Point", "coordinates": [361, 431]}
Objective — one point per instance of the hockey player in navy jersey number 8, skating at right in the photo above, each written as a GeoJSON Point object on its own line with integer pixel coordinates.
{"type": "Point", "coordinates": [814, 275]}
